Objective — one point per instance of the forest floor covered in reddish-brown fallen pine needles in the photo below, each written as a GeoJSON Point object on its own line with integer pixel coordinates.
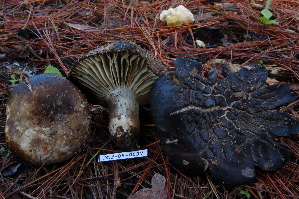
{"type": "Point", "coordinates": [38, 33]}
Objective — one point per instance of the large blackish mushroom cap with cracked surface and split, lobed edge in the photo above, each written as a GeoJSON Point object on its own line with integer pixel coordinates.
{"type": "Point", "coordinates": [225, 124]}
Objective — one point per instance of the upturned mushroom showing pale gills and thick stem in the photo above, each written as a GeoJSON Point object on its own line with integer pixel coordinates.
{"type": "Point", "coordinates": [120, 75]}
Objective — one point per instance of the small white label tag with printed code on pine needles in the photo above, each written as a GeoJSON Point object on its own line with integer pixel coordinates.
{"type": "Point", "coordinates": [123, 155]}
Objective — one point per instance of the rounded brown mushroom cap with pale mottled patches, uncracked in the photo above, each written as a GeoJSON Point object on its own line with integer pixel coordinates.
{"type": "Point", "coordinates": [47, 120]}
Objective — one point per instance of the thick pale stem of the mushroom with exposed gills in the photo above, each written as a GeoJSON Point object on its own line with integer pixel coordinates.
{"type": "Point", "coordinates": [124, 117]}
